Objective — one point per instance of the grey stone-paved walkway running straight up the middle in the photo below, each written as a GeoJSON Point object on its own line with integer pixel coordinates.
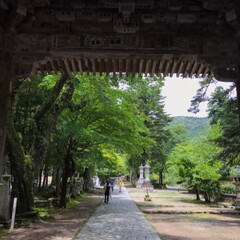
{"type": "Point", "coordinates": [120, 219]}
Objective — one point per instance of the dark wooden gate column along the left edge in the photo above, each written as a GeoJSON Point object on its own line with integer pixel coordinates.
{"type": "Point", "coordinates": [6, 78]}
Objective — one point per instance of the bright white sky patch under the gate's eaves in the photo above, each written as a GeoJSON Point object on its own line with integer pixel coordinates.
{"type": "Point", "coordinates": [179, 92]}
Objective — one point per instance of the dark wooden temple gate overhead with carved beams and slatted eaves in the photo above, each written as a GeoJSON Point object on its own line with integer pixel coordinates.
{"type": "Point", "coordinates": [187, 38]}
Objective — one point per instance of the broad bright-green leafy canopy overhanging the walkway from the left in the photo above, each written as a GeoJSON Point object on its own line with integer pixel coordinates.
{"type": "Point", "coordinates": [104, 124]}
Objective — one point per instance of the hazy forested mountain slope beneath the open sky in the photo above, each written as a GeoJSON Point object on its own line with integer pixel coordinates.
{"type": "Point", "coordinates": [194, 125]}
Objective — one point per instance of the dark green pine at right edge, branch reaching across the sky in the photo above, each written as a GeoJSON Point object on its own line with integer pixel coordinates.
{"type": "Point", "coordinates": [222, 108]}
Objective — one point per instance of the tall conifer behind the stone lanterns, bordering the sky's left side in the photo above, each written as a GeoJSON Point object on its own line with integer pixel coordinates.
{"type": "Point", "coordinates": [146, 95]}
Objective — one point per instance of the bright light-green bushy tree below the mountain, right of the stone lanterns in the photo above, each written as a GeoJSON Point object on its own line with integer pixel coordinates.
{"type": "Point", "coordinates": [196, 164]}
